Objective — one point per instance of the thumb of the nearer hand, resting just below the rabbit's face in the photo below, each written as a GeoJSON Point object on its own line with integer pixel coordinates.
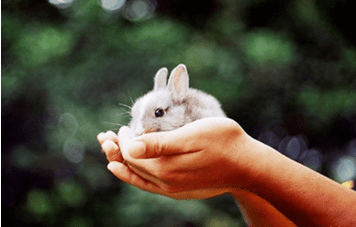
{"type": "Point", "coordinates": [154, 145]}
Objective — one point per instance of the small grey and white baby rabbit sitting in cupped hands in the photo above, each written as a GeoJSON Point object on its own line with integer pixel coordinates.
{"type": "Point", "coordinates": [168, 107]}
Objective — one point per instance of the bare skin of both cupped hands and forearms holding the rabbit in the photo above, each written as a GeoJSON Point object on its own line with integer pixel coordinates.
{"type": "Point", "coordinates": [213, 156]}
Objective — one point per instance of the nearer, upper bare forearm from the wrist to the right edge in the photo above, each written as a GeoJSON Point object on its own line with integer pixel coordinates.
{"type": "Point", "coordinates": [304, 196]}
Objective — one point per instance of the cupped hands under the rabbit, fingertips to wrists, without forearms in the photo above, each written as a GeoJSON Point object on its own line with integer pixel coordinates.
{"type": "Point", "coordinates": [199, 157]}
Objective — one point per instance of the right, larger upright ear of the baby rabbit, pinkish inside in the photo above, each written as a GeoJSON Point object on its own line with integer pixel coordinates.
{"type": "Point", "coordinates": [178, 82]}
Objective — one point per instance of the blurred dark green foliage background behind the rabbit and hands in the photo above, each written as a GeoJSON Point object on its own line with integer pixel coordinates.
{"type": "Point", "coordinates": [284, 69]}
